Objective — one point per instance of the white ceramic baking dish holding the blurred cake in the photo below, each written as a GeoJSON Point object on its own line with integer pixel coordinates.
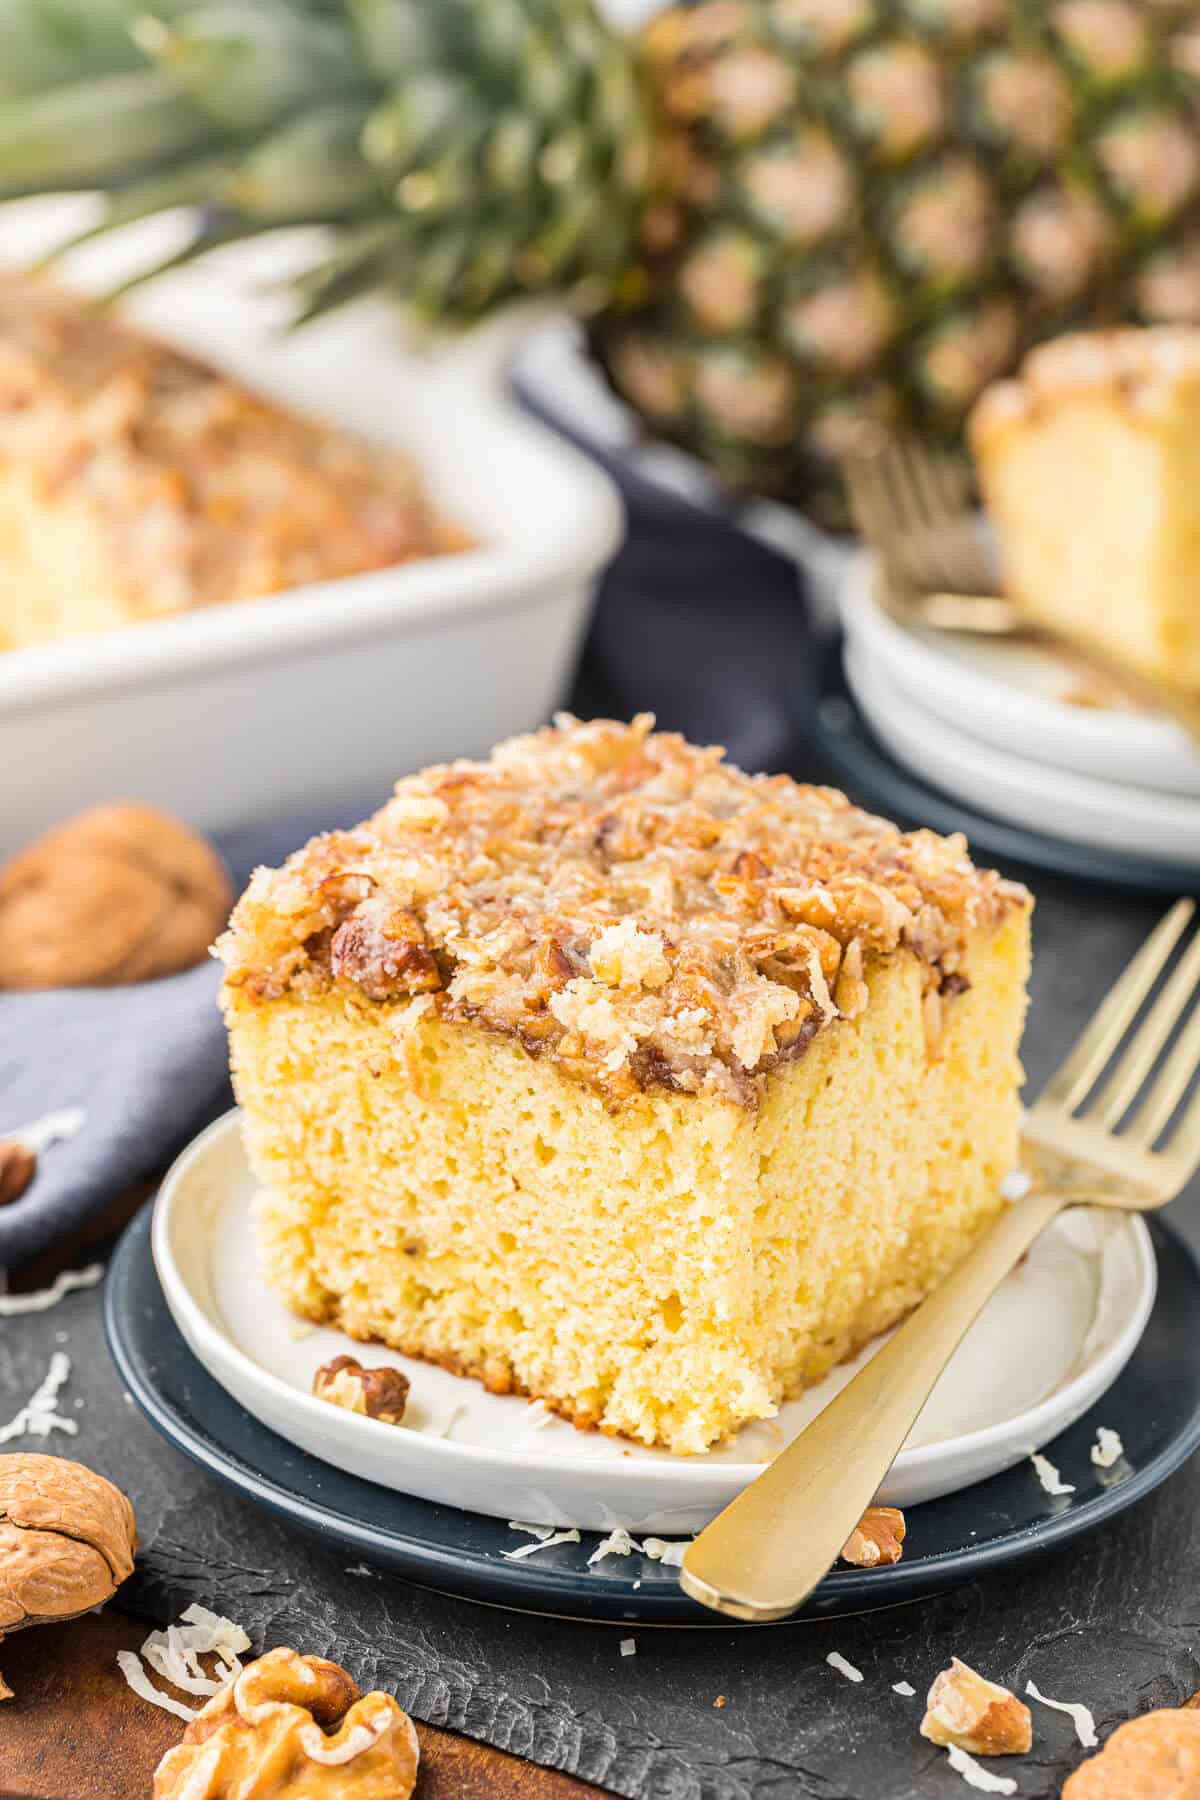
{"type": "Point", "coordinates": [327, 692]}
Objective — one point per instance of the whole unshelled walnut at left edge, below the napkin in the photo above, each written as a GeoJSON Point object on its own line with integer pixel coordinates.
{"type": "Point", "coordinates": [67, 1542]}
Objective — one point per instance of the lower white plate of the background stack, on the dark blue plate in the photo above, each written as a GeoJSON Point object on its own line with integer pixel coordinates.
{"type": "Point", "coordinates": [1057, 802]}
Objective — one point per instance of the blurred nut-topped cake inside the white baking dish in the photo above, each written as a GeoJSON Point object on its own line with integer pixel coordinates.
{"type": "Point", "coordinates": [138, 483]}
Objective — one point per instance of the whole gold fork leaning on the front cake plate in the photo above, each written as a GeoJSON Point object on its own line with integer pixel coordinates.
{"type": "Point", "coordinates": [771, 1547]}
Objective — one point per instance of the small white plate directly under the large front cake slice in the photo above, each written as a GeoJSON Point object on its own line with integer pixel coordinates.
{"type": "Point", "coordinates": [1052, 1342]}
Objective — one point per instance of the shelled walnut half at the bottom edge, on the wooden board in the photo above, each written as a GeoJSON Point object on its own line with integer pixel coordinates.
{"type": "Point", "coordinates": [294, 1729]}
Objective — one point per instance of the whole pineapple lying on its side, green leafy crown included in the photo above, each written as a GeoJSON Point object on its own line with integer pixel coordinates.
{"type": "Point", "coordinates": [784, 219]}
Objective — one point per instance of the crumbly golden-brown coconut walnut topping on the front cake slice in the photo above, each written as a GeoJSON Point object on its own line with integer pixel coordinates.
{"type": "Point", "coordinates": [622, 901]}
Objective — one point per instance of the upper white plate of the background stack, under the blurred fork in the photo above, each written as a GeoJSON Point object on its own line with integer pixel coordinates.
{"type": "Point", "coordinates": [1010, 694]}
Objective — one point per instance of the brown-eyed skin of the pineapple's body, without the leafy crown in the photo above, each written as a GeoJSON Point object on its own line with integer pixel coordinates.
{"type": "Point", "coordinates": [868, 210]}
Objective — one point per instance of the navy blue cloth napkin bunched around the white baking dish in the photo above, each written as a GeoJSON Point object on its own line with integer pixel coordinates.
{"type": "Point", "coordinates": [694, 622]}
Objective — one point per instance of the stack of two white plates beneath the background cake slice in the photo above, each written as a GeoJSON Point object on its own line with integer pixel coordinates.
{"type": "Point", "coordinates": [994, 724]}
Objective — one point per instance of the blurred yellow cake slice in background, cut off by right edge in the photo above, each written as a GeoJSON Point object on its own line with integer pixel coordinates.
{"type": "Point", "coordinates": [1091, 469]}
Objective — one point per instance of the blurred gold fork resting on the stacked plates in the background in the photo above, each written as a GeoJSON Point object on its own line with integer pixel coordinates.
{"type": "Point", "coordinates": [913, 508]}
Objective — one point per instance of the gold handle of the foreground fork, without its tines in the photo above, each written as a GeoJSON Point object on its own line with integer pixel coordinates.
{"type": "Point", "coordinates": [771, 1547]}
